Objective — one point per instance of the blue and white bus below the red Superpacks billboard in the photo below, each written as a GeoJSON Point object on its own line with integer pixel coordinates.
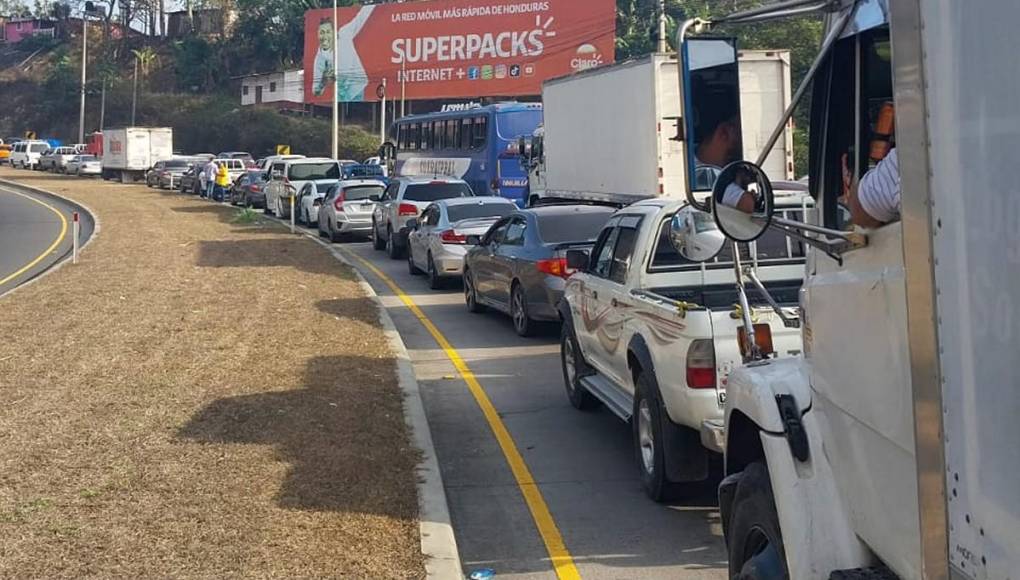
{"type": "Point", "coordinates": [478, 145]}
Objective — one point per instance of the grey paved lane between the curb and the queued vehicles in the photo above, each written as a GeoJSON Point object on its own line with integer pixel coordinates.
{"type": "Point", "coordinates": [583, 462]}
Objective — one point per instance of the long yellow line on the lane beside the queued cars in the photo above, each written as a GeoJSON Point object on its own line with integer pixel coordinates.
{"type": "Point", "coordinates": [563, 561]}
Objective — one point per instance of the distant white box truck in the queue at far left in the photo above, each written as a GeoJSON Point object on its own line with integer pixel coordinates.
{"type": "Point", "coordinates": [130, 152]}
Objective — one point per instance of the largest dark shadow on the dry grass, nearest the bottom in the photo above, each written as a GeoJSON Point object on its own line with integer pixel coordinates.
{"type": "Point", "coordinates": [342, 434]}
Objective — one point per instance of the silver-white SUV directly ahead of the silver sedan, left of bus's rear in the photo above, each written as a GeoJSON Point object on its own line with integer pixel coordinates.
{"type": "Point", "coordinates": [404, 199]}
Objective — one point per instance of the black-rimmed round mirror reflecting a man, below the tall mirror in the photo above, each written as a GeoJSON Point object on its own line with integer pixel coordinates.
{"type": "Point", "coordinates": [743, 202]}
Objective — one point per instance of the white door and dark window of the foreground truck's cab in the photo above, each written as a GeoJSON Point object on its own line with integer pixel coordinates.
{"type": "Point", "coordinates": [855, 333]}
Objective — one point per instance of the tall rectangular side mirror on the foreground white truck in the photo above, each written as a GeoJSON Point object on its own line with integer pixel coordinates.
{"type": "Point", "coordinates": [710, 113]}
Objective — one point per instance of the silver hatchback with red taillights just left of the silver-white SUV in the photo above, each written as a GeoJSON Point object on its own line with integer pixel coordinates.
{"type": "Point", "coordinates": [347, 208]}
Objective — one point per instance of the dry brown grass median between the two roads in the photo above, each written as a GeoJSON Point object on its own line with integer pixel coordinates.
{"type": "Point", "coordinates": [199, 399]}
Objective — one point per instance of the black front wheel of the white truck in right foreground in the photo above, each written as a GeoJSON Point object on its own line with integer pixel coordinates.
{"type": "Point", "coordinates": [755, 540]}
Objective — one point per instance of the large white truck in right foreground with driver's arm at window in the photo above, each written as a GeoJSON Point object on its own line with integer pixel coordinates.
{"type": "Point", "coordinates": [882, 452]}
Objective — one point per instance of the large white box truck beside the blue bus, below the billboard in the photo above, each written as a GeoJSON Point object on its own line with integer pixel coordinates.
{"type": "Point", "coordinates": [609, 133]}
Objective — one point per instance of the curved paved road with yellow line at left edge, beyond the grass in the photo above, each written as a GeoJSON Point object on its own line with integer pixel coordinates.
{"type": "Point", "coordinates": [33, 236]}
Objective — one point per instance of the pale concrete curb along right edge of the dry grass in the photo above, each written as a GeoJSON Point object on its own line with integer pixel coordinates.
{"type": "Point", "coordinates": [439, 545]}
